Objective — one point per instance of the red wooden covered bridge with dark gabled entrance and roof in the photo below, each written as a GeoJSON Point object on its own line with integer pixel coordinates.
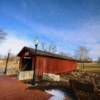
{"type": "Point", "coordinates": [46, 62]}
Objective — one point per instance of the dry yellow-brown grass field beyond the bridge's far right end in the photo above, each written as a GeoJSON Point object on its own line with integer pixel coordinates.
{"type": "Point", "coordinates": [90, 67]}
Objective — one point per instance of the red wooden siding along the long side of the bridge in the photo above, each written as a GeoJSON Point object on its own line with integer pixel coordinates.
{"type": "Point", "coordinates": [54, 65]}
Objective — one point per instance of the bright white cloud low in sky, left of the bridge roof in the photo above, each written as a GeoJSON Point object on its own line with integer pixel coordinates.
{"type": "Point", "coordinates": [14, 44]}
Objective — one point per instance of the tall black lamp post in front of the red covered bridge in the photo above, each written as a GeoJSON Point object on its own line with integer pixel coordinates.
{"type": "Point", "coordinates": [35, 60]}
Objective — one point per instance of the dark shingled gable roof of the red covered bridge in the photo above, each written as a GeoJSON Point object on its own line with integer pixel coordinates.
{"type": "Point", "coordinates": [43, 53]}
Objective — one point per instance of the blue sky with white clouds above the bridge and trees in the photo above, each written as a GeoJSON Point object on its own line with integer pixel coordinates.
{"type": "Point", "coordinates": [66, 23]}
